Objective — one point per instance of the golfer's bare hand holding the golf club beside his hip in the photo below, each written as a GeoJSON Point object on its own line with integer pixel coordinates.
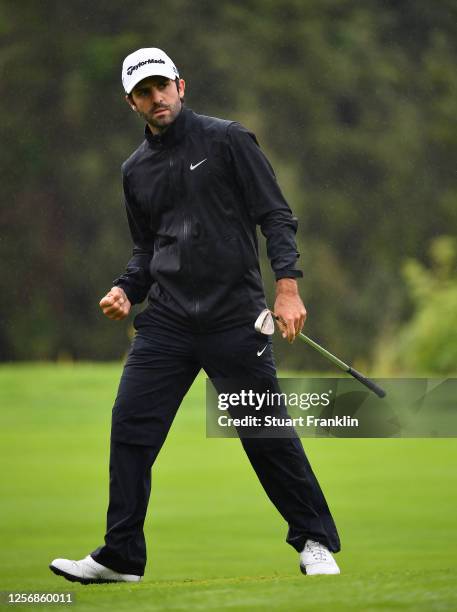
{"type": "Point", "coordinates": [289, 308]}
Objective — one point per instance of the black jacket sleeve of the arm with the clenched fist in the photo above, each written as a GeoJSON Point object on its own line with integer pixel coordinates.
{"type": "Point", "coordinates": [136, 281]}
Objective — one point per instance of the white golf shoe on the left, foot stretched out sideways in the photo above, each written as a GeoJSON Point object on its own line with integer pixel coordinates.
{"type": "Point", "coordinates": [88, 571]}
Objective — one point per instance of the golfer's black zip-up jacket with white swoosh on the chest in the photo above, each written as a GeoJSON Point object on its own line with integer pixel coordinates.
{"type": "Point", "coordinates": [194, 196]}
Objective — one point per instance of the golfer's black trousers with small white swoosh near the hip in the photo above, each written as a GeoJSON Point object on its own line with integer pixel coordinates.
{"type": "Point", "coordinates": [161, 366]}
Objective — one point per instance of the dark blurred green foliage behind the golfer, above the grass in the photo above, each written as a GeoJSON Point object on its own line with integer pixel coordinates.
{"type": "Point", "coordinates": [354, 102]}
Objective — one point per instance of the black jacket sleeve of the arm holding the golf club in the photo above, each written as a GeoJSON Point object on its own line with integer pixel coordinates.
{"type": "Point", "coordinates": [265, 201]}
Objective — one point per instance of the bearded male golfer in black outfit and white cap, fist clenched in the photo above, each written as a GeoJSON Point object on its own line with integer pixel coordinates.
{"type": "Point", "coordinates": [195, 190]}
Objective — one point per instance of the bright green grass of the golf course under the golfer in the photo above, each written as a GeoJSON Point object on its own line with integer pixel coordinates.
{"type": "Point", "coordinates": [214, 540]}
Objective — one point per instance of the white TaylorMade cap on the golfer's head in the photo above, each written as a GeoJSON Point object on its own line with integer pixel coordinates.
{"type": "Point", "coordinates": [146, 62]}
